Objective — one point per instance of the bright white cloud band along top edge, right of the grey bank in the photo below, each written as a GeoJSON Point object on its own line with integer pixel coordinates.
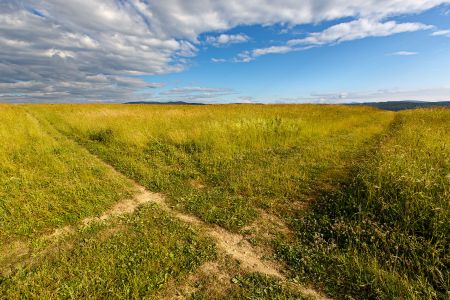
{"type": "Point", "coordinates": [188, 19]}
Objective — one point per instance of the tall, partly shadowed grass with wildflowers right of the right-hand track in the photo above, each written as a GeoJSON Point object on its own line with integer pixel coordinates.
{"type": "Point", "coordinates": [386, 232]}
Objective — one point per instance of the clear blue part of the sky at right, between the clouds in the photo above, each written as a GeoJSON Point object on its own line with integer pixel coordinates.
{"type": "Point", "coordinates": [365, 66]}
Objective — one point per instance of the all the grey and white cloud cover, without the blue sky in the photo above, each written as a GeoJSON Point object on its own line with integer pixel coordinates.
{"type": "Point", "coordinates": [56, 48]}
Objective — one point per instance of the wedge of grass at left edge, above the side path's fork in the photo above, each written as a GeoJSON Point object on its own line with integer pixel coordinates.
{"type": "Point", "coordinates": [46, 180]}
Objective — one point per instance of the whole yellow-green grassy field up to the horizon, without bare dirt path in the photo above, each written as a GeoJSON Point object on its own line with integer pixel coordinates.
{"type": "Point", "coordinates": [352, 201]}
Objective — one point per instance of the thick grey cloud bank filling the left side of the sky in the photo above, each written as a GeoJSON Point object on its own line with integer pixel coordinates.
{"type": "Point", "coordinates": [80, 52]}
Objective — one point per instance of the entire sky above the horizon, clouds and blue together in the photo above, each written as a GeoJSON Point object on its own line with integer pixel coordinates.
{"type": "Point", "coordinates": [224, 51]}
